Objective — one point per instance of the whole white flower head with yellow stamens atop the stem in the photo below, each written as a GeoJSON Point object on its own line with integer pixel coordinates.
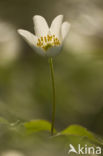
{"type": "Point", "coordinates": [46, 41]}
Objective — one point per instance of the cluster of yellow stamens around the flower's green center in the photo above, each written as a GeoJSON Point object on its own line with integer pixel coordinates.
{"type": "Point", "coordinates": [47, 42]}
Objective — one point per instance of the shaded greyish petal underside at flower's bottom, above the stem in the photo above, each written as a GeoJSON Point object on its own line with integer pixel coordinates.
{"type": "Point", "coordinates": [54, 51]}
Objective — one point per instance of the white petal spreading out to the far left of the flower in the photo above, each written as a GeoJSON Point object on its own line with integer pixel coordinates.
{"type": "Point", "coordinates": [31, 40]}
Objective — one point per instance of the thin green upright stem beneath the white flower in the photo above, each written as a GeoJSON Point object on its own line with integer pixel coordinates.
{"type": "Point", "coordinates": [53, 88]}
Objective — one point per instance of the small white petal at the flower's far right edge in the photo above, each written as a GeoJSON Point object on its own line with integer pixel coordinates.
{"type": "Point", "coordinates": [65, 29]}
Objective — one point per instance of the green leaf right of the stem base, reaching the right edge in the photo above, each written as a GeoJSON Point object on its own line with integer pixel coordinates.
{"type": "Point", "coordinates": [78, 130]}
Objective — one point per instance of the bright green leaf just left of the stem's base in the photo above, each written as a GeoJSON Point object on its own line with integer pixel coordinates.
{"type": "Point", "coordinates": [37, 126]}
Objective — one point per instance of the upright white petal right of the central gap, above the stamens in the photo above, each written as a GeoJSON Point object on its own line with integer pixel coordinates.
{"type": "Point", "coordinates": [56, 26]}
